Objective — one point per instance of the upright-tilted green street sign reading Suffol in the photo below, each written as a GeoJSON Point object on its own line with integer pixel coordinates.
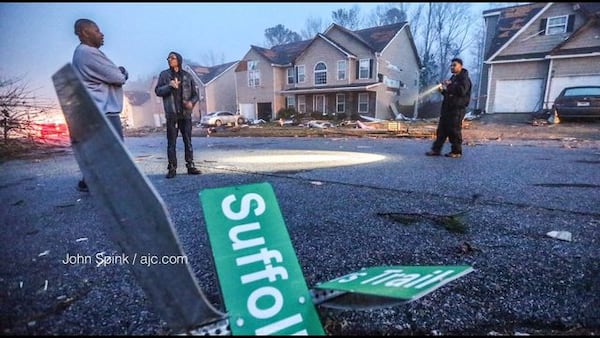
{"type": "Point", "coordinates": [261, 281]}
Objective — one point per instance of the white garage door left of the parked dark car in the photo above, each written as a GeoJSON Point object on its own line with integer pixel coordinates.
{"type": "Point", "coordinates": [518, 96]}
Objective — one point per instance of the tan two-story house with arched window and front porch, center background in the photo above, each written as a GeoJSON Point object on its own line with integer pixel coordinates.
{"type": "Point", "coordinates": [340, 72]}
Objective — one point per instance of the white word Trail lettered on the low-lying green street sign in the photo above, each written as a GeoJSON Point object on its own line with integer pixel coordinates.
{"type": "Point", "coordinates": [396, 278]}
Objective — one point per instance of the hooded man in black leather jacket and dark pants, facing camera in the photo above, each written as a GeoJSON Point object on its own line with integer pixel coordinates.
{"type": "Point", "coordinates": [179, 93]}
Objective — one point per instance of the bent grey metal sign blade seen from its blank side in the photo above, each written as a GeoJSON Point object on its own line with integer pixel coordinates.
{"type": "Point", "coordinates": [142, 225]}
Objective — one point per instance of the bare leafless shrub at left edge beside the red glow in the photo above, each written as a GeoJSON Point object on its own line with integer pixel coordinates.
{"type": "Point", "coordinates": [18, 108]}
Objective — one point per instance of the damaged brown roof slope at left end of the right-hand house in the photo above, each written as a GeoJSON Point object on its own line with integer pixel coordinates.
{"type": "Point", "coordinates": [511, 20]}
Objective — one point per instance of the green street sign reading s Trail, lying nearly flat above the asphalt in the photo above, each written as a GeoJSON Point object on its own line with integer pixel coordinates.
{"type": "Point", "coordinates": [404, 282]}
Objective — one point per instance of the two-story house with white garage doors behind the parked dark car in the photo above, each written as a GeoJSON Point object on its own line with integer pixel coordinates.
{"type": "Point", "coordinates": [533, 51]}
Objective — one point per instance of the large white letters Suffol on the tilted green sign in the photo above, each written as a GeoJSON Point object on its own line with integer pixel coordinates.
{"type": "Point", "coordinates": [240, 239]}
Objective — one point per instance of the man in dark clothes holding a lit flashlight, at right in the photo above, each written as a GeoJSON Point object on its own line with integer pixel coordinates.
{"type": "Point", "coordinates": [457, 95]}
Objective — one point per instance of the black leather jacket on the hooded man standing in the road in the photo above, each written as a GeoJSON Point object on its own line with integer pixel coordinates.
{"type": "Point", "coordinates": [164, 90]}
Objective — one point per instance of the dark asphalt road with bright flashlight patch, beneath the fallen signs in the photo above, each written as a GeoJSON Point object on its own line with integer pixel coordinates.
{"type": "Point", "coordinates": [340, 198]}
